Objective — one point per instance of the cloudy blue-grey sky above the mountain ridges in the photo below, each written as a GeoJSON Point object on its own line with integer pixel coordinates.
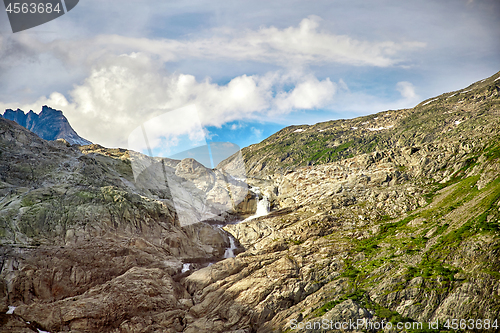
{"type": "Point", "coordinates": [172, 75]}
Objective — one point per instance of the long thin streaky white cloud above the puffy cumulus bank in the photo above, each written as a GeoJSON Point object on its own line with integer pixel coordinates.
{"type": "Point", "coordinates": [292, 46]}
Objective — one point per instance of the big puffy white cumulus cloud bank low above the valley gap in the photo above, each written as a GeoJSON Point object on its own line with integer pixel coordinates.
{"type": "Point", "coordinates": [122, 93]}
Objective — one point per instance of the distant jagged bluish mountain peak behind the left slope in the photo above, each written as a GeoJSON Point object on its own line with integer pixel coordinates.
{"type": "Point", "coordinates": [49, 124]}
